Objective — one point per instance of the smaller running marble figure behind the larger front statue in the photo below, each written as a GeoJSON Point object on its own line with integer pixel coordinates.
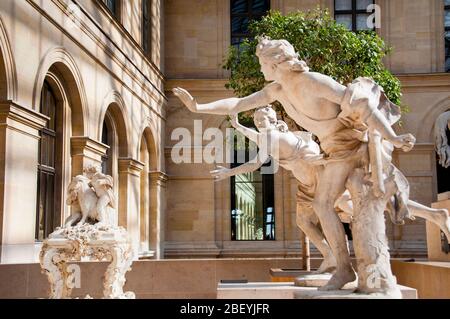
{"type": "Point", "coordinates": [299, 153]}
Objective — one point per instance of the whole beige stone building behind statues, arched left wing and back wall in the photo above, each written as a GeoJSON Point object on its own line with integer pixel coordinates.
{"type": "Point", "coordinates": [89, 82]}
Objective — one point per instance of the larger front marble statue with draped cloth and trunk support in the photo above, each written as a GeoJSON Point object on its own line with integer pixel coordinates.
{"type": "Point", "coordinates": [350, 123]}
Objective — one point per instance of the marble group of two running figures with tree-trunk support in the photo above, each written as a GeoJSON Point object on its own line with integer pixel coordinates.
{"type": "Point", "coordinates": [348, 176]}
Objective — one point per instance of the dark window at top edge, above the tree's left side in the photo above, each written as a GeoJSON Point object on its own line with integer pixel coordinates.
{"type": "Point", "coordinates": [242, 13]}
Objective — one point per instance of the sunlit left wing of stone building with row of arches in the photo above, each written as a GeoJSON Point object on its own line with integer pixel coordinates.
{"type": "Point", "coordinates": [71, 73]}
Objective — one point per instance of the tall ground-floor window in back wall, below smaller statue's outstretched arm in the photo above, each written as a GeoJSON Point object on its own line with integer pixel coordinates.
{"type": "Point", "coordinates": [252, 204]}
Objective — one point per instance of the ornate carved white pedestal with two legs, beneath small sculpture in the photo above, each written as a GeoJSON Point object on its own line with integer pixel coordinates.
{"type": "Point", "coordinates": [93, 242]}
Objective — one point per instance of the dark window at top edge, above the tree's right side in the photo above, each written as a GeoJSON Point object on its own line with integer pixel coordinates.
{"type": "Point", "coordinates": [352, 13]}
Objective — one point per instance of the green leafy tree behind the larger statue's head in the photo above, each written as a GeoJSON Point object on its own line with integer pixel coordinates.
{"type": "Point", "coordinates": [326, 46]}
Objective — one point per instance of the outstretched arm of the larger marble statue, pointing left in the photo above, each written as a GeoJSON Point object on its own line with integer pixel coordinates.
{"type": "Point", "coordinates": [227, 106]}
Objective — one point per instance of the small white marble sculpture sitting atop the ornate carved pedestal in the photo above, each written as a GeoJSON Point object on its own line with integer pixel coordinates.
{"type": "Point", "coordinates": [91, 196]}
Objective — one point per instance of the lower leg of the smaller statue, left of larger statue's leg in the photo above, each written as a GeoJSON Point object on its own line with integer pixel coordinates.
{"type": "Point", "coordinates": [306, 221]}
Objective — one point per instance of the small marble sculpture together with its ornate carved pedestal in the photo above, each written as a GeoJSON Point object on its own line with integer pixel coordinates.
{"type": "Point", "coordinates": [90, 232]}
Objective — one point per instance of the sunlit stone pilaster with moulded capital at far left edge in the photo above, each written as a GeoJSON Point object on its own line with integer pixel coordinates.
{"type": "Point", "coordinates": [19, 147]}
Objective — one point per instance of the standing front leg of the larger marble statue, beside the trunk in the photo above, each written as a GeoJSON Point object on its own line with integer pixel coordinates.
{"type": "Point", "coordinates": [331, 185]}
